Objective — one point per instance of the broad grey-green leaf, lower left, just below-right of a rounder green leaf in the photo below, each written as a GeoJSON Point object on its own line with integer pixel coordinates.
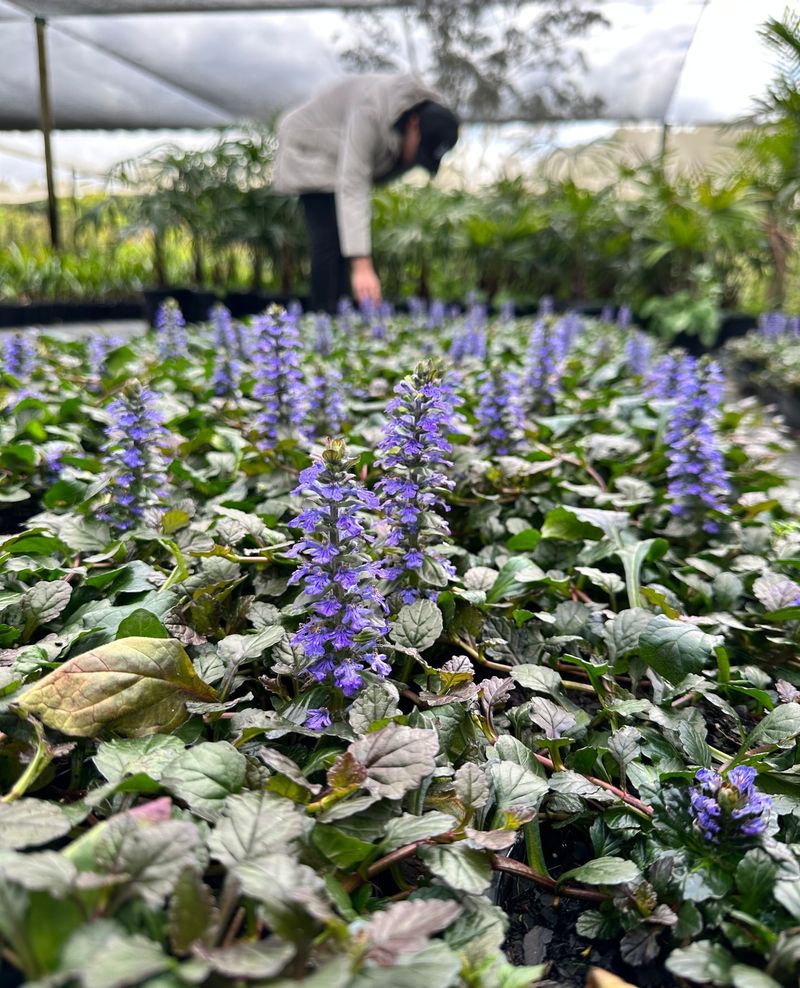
{"type": "Point", "coordinates": [253, 825]}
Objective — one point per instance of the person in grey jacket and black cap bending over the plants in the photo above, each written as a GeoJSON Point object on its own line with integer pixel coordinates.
{"type": "Point", "coordinates": [366, 129]}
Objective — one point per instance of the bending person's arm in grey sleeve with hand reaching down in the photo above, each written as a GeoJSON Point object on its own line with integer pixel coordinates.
{"type": "Point", "coordinates": [354, 202]}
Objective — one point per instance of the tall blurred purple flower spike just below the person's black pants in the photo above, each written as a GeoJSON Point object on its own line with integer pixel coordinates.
{"type": "Point", "coordinates": [279, 382]}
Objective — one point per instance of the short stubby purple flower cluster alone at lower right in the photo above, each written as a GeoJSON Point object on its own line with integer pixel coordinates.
{"type": "Point", "coordinates": [728, 808]}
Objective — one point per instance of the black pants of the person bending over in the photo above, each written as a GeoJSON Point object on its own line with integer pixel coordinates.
{"type": "Point", "coordinates": [330, 272]}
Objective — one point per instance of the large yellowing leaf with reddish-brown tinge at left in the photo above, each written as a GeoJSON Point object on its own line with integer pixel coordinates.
{"type": "Point", "coordinates": [134, 687]}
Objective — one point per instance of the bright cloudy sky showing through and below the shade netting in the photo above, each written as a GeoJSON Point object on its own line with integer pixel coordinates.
{"type": "Point", "coordinates": [259, 64]}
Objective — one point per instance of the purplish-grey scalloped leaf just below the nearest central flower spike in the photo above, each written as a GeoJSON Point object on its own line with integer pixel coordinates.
{"type": "Point", "coordinates": [396, 759]}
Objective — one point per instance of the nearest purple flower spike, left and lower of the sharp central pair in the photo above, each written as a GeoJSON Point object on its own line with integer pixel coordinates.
{"type": "Point", "coordinates": [338, 574]}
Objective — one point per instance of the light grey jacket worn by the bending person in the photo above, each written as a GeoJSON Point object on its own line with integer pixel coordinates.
{"type": "Point", "coordinates": [343, 141]}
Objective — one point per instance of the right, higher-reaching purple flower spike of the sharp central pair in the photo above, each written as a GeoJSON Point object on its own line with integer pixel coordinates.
{"type": "Point", "coordinates": [414, 457]}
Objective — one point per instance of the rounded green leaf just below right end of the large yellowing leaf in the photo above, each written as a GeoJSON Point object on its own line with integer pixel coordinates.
{"type": "Point", "coordinates": [205, 775]}
